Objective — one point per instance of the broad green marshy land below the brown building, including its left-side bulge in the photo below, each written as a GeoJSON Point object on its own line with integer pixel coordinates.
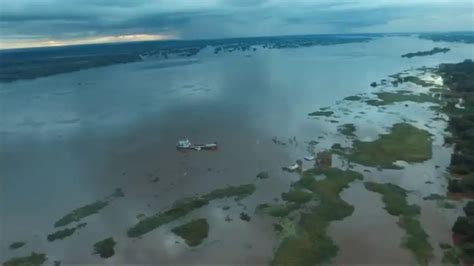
{"type": "Point", "coordinates": [311, 205]}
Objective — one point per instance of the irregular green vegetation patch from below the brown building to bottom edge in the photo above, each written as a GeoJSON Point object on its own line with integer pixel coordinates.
{"type": "Point", "coordinates": [310, 244]}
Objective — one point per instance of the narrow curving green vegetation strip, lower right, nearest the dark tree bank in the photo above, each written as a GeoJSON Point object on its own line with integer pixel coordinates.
{"type": "Point", "coordinates": [394, 198]}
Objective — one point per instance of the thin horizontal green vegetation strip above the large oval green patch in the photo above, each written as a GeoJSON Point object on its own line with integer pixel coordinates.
{"type": "Point", "coordinates": [387, 98]}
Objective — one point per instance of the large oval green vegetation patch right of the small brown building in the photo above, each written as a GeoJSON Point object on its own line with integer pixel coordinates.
{"type": "Point", "coordinates": [404, 142]}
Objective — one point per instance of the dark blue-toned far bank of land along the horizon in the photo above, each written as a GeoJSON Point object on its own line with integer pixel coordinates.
{"type": "Point", "coordinates": [30, 64]}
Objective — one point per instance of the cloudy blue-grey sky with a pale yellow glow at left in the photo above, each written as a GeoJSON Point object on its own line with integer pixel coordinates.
{"type": "Point", "coordinates": [56, 22]}
